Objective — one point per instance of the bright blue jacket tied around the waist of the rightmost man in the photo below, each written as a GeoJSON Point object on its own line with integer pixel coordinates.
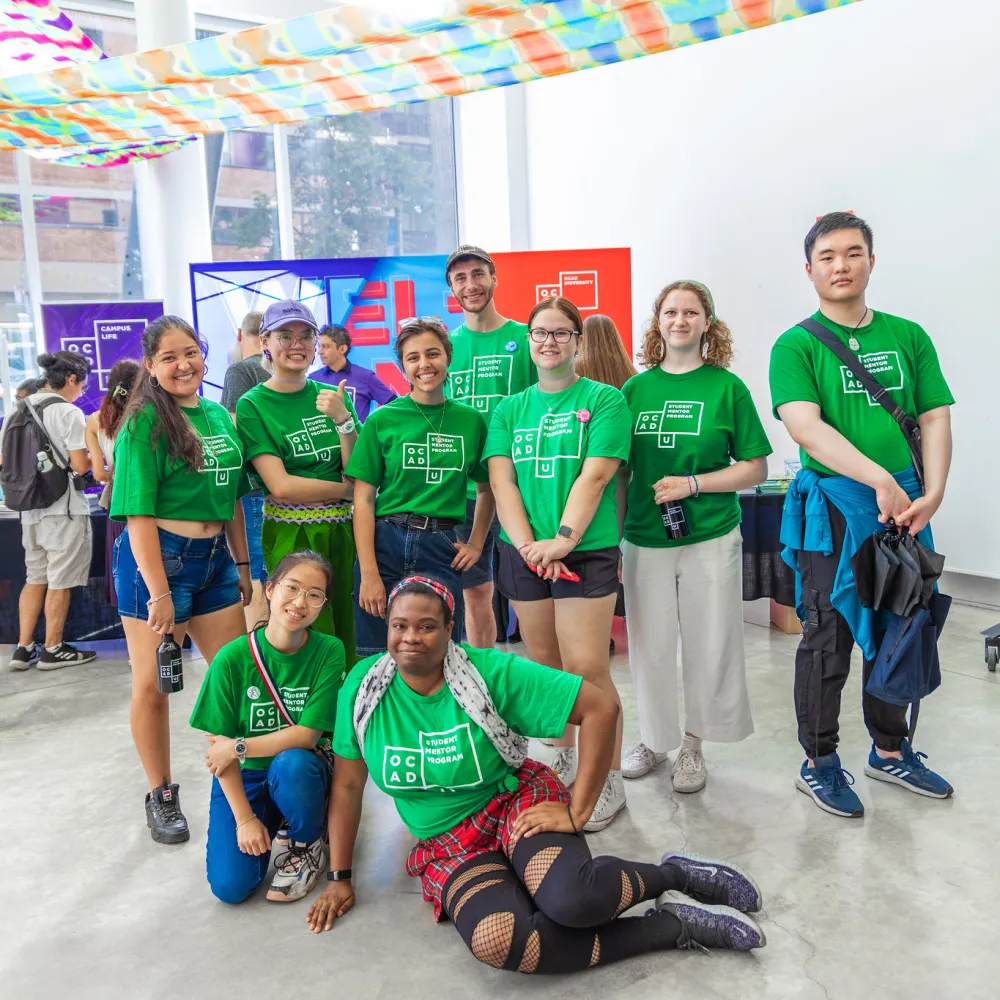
{"type": "Point", "coordinates": [805, 527]}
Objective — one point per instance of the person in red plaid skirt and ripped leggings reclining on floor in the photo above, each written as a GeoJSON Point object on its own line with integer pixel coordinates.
{"type": "Point", "coordinates": [501, 853]}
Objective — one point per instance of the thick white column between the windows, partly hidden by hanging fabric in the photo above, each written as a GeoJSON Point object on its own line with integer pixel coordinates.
{"type": "Point", "coordinates": [175, 228]}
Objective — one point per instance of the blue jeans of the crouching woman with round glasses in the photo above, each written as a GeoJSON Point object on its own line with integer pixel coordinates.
{"type": "Point", "coordinates": [293, 787]}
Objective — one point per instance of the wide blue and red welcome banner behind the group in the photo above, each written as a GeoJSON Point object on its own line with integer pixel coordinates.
{"type": "Point", "coordinates": [371, 296]}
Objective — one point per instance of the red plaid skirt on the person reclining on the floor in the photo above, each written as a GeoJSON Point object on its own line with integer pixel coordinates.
{"type": "Point", "coordinates": [488, 830]}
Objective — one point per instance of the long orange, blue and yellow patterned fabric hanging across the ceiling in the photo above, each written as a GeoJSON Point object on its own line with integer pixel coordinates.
{"type": "Point", "coordinates": [352, 58]}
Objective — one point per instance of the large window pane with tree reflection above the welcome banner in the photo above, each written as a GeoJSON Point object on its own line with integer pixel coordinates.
{"type": "Point", "coordinates": [375, 184]}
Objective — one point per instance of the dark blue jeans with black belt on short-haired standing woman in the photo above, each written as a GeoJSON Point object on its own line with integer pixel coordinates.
{"type": "Point", "coordinates": [402, 552]}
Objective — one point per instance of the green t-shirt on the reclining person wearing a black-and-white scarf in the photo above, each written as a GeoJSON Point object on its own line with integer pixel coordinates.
{"type": "Point", "coordinates": [426, 753]}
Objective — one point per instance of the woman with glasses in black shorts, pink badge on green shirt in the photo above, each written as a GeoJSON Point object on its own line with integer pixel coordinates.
{"type": "Point", "coordinates": [554, 451]}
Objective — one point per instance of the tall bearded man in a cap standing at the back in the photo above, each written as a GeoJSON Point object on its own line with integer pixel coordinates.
{"type": "Point", "coordinates": [490, 361]}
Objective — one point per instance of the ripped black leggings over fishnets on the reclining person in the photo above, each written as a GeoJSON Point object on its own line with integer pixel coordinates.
{"type": "Point", "coordinates": [553, 908]}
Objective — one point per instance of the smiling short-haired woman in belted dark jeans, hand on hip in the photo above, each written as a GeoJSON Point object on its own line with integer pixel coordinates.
{"type": "Point", "coordinates": [410, 468]}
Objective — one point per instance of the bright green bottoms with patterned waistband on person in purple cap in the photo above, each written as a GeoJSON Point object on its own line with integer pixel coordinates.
{"type": "Point", "coordinates": [328, 531]}
